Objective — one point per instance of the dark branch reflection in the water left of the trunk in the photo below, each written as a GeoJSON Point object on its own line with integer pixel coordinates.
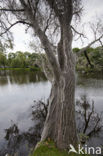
{"type": "Point", "coordinates": [24, 142]}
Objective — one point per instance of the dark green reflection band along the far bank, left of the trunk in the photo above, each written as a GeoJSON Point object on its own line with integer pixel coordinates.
{"type": "Point", "coordinates": [21, 77]}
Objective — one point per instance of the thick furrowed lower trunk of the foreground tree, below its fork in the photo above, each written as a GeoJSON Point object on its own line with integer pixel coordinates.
{"type": "Point", "coordinates": [60, 122]}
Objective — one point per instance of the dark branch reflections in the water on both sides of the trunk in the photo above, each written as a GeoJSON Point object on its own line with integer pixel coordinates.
{"type": "Point", "coordinates": [88, 124]}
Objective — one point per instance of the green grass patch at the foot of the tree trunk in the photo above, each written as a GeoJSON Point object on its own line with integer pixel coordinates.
{"type": "Point", "coordinates": [48, 148]}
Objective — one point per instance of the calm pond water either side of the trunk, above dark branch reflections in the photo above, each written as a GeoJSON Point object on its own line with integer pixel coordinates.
{"type": "Point", "coordinates": [18, 90]}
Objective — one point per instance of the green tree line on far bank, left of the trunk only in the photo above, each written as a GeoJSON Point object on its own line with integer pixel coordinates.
{"type": "Point", "coordinates": [19, 59]}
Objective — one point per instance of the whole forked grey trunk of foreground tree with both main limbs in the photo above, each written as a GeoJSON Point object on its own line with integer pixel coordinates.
{"type": "Point", "coordinates": [60, 123]}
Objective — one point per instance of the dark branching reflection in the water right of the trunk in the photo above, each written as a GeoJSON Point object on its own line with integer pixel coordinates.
{"type": "Point", "coordinates": [89, 122]}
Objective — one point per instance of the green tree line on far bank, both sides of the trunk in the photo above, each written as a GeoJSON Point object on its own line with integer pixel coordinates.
{"type": "Point", "coordinates": [92, 57]}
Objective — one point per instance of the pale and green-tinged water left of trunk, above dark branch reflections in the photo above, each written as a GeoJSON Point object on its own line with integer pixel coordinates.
{"type": "Point", "coordinates": [17, 93]}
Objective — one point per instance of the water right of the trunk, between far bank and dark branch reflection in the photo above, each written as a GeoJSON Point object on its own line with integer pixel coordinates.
{"type": "Point", "coordinates": [93, 88]}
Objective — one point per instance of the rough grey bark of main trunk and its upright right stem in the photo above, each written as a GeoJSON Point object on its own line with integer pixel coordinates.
{"type": "Point", "coordinates": [60, 123]}
